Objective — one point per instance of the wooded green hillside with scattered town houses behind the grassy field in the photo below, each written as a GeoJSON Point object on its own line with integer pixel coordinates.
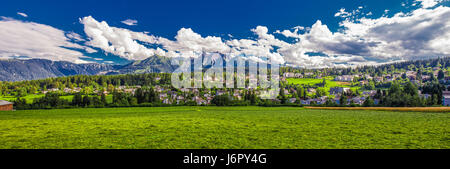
{"type": "Point", "coordinates": [405, 84]}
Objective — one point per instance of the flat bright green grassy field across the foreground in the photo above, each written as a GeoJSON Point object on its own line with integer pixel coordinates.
{"type": "Point", "coordinates": [222, 128]}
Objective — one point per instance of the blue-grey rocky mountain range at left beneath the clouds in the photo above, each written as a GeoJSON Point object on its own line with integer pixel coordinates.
{"type": "Point", "coordinates": [32, 69]}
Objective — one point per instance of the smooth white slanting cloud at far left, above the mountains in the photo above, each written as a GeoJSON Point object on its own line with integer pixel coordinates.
{"type": "Point", "coordinates": [34, 40]}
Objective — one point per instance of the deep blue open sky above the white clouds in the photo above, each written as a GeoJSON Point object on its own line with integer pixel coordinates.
{"type": "Point", "coordinates": [207, 17]}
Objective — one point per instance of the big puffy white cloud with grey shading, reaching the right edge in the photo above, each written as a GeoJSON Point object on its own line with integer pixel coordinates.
{"type": "Point", "coordinates": [422, 33]}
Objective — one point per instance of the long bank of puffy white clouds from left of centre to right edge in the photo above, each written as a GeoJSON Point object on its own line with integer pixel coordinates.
{"type": "Point", "coordinates": [423, 32]}
